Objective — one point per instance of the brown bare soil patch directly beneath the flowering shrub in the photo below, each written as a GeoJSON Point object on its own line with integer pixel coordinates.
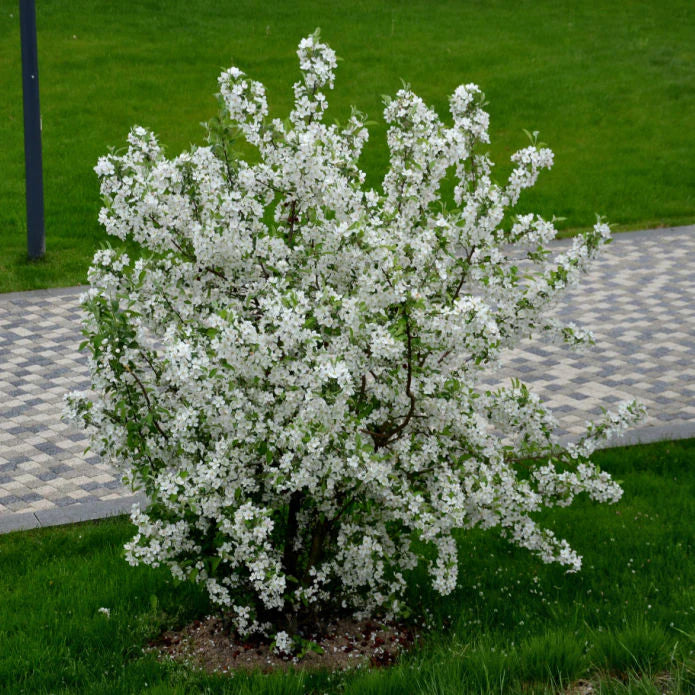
{"type": "Point", "coordinates": [345, 644]}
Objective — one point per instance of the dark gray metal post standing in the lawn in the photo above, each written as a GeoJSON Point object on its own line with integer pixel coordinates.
{"type": "Point", "coordinates": [36, 242]}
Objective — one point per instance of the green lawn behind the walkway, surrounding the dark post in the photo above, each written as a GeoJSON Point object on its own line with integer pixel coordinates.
{"type": "Point", "coordinates": [609, 85]}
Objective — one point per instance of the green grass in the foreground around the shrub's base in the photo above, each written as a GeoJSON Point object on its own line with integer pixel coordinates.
{"type": "Point", "coordinates": [514, 625]}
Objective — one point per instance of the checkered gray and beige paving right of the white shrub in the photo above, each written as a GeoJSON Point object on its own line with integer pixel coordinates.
{"type": "Point", "coordinates": [639, 302]}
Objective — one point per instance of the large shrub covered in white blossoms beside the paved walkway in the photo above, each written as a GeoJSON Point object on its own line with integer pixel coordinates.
{"type": "Point", "coordinates": [291, 370]}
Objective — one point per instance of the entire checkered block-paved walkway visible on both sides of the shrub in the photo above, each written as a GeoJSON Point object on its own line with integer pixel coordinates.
{"type": "Point", "coordinates": [639, 300]}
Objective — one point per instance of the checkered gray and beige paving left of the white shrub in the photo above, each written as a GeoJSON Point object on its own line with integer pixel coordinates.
{"type": "Point", "coordinates": [42, 464]}
